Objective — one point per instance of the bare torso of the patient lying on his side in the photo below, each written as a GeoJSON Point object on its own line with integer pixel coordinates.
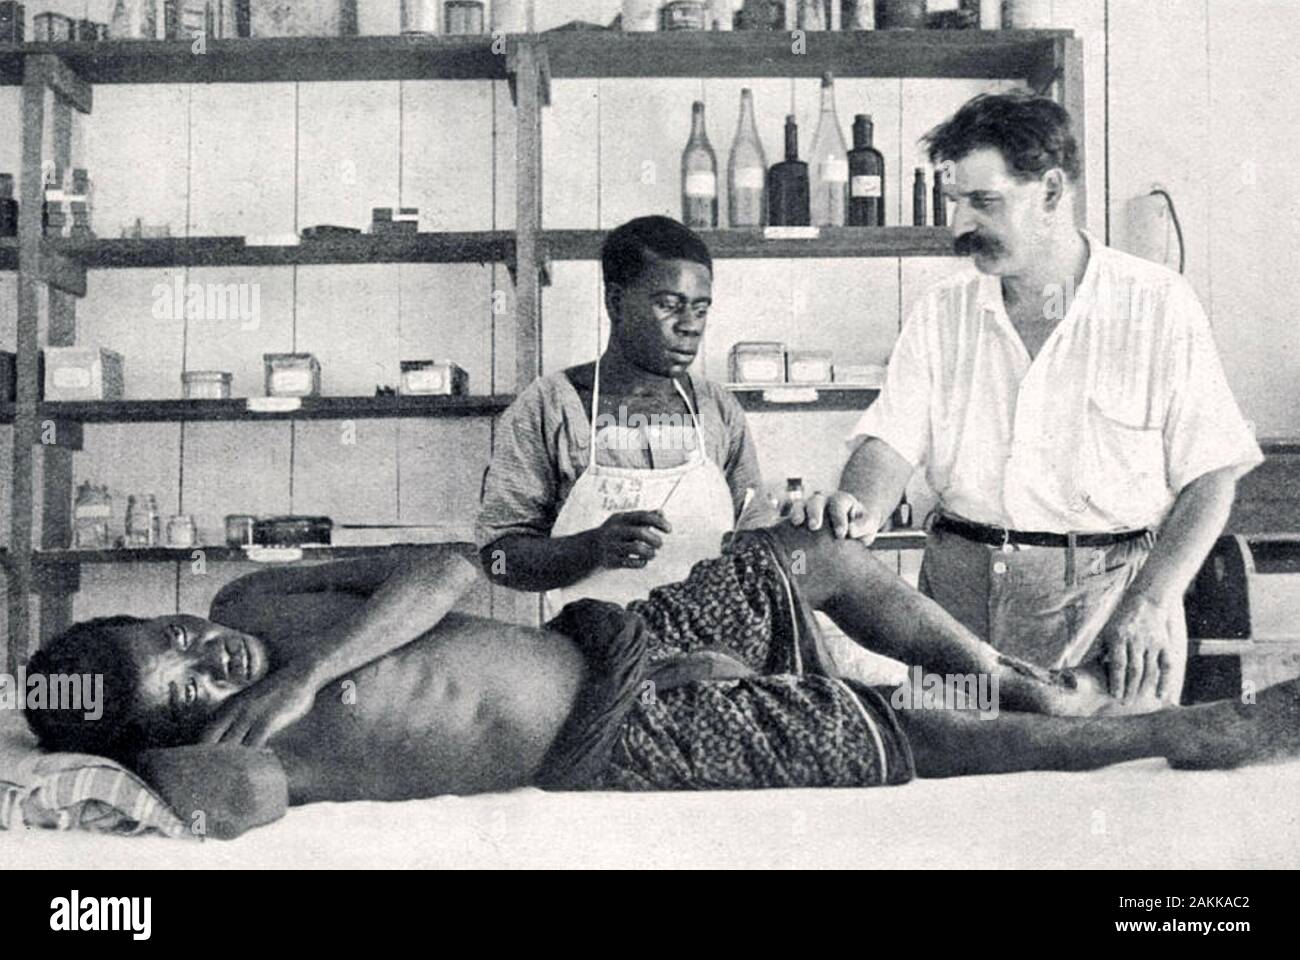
{"type": "Point", "coordinates": [471, 707]}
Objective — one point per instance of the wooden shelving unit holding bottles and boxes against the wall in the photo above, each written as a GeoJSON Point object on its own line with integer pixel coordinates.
{"type": "Point", "coordinates": [1046, 60]}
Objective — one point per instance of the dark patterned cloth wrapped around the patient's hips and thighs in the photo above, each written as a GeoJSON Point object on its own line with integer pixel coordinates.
{"type": "Point", "coordinates": [720, 684]}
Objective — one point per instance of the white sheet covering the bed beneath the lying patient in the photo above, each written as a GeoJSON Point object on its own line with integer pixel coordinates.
{"type": "Point", "coordinates": [1139, 815]}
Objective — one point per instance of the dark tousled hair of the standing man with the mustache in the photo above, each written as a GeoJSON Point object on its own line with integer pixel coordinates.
{"type": "Point", "coordinates": [1032, 132]}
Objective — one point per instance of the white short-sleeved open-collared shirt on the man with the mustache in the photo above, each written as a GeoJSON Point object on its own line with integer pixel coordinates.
{"type": "Point", "coordinates": [1125, 405]}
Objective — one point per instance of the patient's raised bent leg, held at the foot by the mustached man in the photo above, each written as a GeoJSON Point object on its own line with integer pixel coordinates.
{"type": "Point", "coordinates": [872, 604]}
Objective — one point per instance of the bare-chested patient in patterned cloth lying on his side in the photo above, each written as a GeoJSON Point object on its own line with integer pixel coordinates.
{"type": "Point", "coordinates": [353, 682]}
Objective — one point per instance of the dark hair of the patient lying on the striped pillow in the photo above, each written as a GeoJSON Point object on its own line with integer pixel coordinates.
{"type": "Point", "coordinates": [94, 648]}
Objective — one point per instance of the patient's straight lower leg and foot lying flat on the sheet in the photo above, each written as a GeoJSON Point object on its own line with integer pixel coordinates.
{"type": "Point", "coordinates": [956, 743]}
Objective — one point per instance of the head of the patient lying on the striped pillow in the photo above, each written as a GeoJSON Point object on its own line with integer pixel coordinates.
{"type": "Point", "coordinates": [163, 681]}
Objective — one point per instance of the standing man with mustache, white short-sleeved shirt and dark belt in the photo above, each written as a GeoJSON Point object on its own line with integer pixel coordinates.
{"type": "Point", "coordinates": [1069, 408]}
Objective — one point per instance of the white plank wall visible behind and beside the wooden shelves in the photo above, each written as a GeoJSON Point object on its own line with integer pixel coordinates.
{"type": "Point", "coordinates": [1193, 94]}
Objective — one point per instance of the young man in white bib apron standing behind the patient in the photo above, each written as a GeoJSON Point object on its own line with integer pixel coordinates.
{"type": "Point", "coordinates": [617, 477]}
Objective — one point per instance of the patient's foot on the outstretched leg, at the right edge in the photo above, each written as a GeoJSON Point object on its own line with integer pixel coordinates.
{"type": "Point", "coordinates": [1234, 734]}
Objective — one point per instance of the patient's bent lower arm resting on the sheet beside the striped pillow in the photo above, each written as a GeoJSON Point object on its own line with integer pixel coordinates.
{"type": "Point", "coordinates": [219, 790]}
